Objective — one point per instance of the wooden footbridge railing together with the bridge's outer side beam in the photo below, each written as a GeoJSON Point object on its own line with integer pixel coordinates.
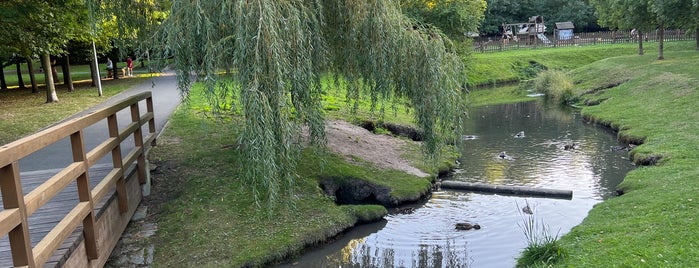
{"type": "Point", "coordinates": [100, 230]}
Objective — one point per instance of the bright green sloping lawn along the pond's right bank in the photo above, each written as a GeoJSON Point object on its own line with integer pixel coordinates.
{"type": "Point", "coordinates": [654, 223]}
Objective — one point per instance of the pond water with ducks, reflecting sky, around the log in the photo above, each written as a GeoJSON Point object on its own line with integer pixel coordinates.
{"type": "Point", "coordinates": [426, 237]}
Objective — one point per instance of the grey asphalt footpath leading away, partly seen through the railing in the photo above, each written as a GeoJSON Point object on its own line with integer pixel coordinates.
{"type": "Point", "coordinates": [166, 98]}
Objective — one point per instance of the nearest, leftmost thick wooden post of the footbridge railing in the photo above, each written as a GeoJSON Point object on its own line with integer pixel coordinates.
{"type": "Point", "coordinates": [13, 198]}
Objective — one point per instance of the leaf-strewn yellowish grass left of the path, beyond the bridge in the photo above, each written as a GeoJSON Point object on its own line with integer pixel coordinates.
{"type": "Point", "coordinates": [23, 113]}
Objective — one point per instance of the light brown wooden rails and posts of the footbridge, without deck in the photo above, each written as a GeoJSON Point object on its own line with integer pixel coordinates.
{"type": "Point", "coordinates": [18, 206]}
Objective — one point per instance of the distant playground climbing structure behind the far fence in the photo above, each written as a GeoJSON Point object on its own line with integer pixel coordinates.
{"type": "Point", "coordinates": [530, 31]}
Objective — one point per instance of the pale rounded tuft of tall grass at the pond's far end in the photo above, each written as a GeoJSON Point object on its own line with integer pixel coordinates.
{"type": "Point", "coordinates": [556, 84]}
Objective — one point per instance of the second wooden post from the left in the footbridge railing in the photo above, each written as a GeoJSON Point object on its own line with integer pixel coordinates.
{"type": "Point", "coordinates": [84, 195]}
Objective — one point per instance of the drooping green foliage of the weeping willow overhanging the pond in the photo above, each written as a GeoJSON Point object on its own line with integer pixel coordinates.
{"type": "Point", "coordinates": [279, 51]}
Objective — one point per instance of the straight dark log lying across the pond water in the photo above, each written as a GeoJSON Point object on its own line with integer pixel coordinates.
{"type": "Point", "coordinates": [507, 190]}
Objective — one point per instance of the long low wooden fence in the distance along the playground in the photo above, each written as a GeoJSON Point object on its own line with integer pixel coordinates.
{"type": "Point", "coordinates": [579, 39]}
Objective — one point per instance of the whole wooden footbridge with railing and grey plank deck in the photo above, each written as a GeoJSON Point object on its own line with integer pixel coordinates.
{"type": "Point", "coordinates": [73, 216]}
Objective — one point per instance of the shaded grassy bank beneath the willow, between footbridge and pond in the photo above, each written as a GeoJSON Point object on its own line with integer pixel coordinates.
{"type": "Point", "coordinates": [210, 219]}
